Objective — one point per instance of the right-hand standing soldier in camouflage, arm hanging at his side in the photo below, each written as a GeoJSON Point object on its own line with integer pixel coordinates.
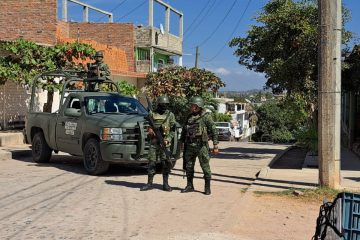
{"type": "Point", "coordinates": [199, 126]}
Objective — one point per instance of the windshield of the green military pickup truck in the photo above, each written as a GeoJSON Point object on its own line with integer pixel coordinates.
{"type": "Point", "coordinates": [113, 104]}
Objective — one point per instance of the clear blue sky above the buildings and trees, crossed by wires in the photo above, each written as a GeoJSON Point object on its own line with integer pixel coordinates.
{"type": "Point", "coordinates": [209, 24]}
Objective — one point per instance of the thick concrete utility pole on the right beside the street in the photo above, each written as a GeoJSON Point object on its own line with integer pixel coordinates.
{"type": "Point", "coordinates": [329, 92]}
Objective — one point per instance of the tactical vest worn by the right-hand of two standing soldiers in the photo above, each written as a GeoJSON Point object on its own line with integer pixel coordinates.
{"type": "Point", "coordinates": [196, 128]}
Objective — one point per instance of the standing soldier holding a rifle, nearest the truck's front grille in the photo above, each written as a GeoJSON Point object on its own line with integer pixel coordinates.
{"type": "Point", "coordinates": [164, 120]}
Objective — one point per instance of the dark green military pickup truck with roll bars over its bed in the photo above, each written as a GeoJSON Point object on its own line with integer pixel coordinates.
{"type": "Point", "coordinates": [94, 122]}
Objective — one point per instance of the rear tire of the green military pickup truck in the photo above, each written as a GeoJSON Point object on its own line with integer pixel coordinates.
{"type": "Point", "coordinates": [41, 151]}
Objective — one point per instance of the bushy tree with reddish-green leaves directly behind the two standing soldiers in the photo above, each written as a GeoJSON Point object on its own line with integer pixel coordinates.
{"type": "Point", "coordinates": [180, 83]}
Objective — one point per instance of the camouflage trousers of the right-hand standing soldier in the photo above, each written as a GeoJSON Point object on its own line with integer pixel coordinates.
{"type": "Point", "coordinates": [200, 150]}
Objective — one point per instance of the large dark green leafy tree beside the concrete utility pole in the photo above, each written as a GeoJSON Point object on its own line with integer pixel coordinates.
{"type": "Point", "coordinates": [284, 46]}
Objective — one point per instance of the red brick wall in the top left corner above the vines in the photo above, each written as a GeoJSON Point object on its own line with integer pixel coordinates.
{"type": "Point", "coordinates": [33, 20]}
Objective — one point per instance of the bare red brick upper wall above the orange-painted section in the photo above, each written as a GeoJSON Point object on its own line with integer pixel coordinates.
{"type": "Point", "coordinates": [111, 34]}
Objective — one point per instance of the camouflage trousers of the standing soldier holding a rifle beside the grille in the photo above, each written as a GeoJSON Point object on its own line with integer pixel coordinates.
{"type": "Point", "coordinates": [156, 155]}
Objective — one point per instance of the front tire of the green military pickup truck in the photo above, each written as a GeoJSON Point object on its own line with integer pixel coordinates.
{"type": "Point", "coordinates": [93, 162]}
